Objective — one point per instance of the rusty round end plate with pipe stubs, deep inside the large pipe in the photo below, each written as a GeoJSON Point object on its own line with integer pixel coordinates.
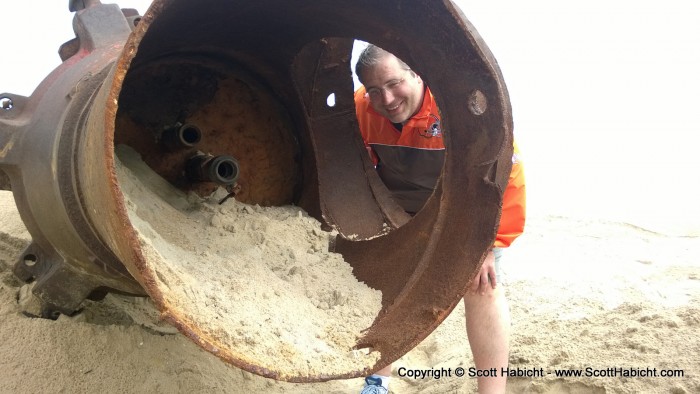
{"type": "Point", "coordinates": [223, 112]}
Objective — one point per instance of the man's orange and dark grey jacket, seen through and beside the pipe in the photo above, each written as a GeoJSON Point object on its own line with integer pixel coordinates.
{"type": "Point", "coordinates": [420, 138]}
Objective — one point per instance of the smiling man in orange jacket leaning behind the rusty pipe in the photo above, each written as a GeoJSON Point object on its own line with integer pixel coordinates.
{"type": "Point", "coordinates": [400, 123]}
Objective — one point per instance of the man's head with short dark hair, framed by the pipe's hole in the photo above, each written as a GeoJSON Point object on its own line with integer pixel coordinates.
{"type": "Point", "coordinates": [394, 90]}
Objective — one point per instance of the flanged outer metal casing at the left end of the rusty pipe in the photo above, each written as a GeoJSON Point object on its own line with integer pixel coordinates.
{"type": "Point", "coordinates": [40, 142]}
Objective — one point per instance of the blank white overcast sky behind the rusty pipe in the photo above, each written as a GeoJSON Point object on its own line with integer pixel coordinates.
{"type": "Point", "coordinates": [604, 94]}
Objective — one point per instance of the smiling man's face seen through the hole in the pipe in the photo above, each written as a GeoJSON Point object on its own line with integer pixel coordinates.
{"type": "Point", "coordinates": [394, 92]}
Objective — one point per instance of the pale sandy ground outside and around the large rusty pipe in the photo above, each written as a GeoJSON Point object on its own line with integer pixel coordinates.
{"type": "Point", "coordinates": [583, 294]}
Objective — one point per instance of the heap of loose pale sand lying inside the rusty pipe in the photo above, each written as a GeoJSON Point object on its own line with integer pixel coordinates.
{"type": "Point", "coordinates": [259, 279]}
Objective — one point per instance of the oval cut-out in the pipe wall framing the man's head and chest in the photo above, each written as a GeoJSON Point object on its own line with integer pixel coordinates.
{"type": "Point", "coordinates": [410, 186]}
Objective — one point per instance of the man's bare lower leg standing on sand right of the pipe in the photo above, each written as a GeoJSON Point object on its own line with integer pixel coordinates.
{"type": "Point", "coordinates": [488, 330]}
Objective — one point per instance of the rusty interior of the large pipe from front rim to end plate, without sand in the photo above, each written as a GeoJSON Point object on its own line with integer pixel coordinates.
{"type": "Point", "coordinates": [237, 91]}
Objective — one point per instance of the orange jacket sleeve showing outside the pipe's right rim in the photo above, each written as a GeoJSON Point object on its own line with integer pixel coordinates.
{"type": "Point", "coordinates": [512, 221]}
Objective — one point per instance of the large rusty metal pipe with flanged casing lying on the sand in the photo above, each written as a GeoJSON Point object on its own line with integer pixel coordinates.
{"type": "Point", "coordinates": [286, 57]}
